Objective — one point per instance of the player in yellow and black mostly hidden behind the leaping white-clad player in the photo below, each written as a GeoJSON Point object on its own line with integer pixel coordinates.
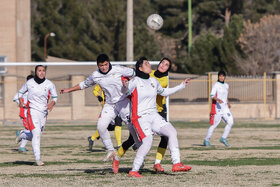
{"type": "Point", "coordinates": [115, 125]}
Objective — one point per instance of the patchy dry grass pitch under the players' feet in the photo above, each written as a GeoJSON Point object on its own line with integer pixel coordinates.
{"type": "Point", "coordinates": [252, 160]}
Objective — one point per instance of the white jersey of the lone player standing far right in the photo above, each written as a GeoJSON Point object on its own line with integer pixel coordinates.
{"type": "Point", "coordinates": [220, 90]}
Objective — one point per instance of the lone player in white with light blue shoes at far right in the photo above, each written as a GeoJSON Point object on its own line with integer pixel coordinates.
{"type": "Point", "coordinates": [220, 110]}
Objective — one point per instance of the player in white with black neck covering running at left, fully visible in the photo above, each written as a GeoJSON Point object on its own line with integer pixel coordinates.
{"type": "Point", "coordinates": [39, 90]}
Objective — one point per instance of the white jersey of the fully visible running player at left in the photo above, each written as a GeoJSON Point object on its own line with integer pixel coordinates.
{"type": "Point", "coordinates": [38, 94]}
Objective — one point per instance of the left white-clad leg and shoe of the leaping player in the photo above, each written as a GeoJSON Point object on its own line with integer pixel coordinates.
{"type": "Point", "coordinates": [107, 115]}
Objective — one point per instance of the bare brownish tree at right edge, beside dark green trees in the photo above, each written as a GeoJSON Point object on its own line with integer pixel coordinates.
{"type": "Point", "coordinates": [260, 43]}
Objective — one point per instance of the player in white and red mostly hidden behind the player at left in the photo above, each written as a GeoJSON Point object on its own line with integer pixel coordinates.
{"type": "Point", "coordinates": [23, 118]}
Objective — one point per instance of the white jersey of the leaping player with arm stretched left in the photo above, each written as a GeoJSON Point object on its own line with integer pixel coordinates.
{"type": "Point", "coordinates": [110, 83]}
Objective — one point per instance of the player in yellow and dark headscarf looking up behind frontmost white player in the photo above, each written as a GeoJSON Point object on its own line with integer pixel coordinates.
{"type": "Point", "coordinates": [161, 75]}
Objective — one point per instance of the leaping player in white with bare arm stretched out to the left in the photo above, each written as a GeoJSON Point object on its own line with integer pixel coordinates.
{"type": "Point", "coordinates": [109, 79]}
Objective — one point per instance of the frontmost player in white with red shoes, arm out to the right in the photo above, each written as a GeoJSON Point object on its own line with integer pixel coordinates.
{"type": "Point", "coordinates": [146, 119]}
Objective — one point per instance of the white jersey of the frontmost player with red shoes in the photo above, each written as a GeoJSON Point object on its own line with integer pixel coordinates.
{"type": "Point", "coordinates": [144, 92]}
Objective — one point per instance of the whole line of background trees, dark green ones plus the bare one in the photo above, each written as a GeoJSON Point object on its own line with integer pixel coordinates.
{"type": "Point", "coordinates": [240, 37]}
